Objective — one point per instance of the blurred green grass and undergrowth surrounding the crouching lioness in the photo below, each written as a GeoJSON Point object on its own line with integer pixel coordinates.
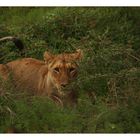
{"type": "Point", "coordinates": [109, 78]}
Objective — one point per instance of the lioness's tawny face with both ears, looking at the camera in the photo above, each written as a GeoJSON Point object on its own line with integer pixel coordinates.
{"type": "Point", "coordinates": [62, 68]}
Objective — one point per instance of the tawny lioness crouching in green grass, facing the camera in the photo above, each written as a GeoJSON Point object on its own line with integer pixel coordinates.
{"type": "Point", "coordinates": [48, 77]}
